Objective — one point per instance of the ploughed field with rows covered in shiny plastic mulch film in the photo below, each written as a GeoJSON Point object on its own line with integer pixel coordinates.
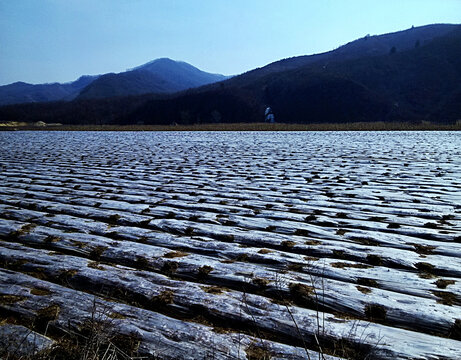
{"type": "Point", "coordinates": [231, 245]}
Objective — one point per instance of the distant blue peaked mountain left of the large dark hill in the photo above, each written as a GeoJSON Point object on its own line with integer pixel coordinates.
{"type": "Point", "coordinates": [158, 76]}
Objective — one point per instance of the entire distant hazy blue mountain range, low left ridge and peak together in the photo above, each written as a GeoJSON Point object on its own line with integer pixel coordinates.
{"type": "Point", "coordinates": [158, 76]}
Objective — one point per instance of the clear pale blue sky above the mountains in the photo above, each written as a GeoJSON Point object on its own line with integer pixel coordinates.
{"type": "Point", "coordinates": [58, 40]}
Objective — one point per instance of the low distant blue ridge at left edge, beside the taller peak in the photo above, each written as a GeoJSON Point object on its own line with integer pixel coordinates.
{"type": "Point", "coordinates": [21, 92]}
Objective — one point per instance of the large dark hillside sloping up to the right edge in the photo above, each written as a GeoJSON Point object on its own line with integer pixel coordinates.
{"type": "Point", "coordinates": [327, 90]}
